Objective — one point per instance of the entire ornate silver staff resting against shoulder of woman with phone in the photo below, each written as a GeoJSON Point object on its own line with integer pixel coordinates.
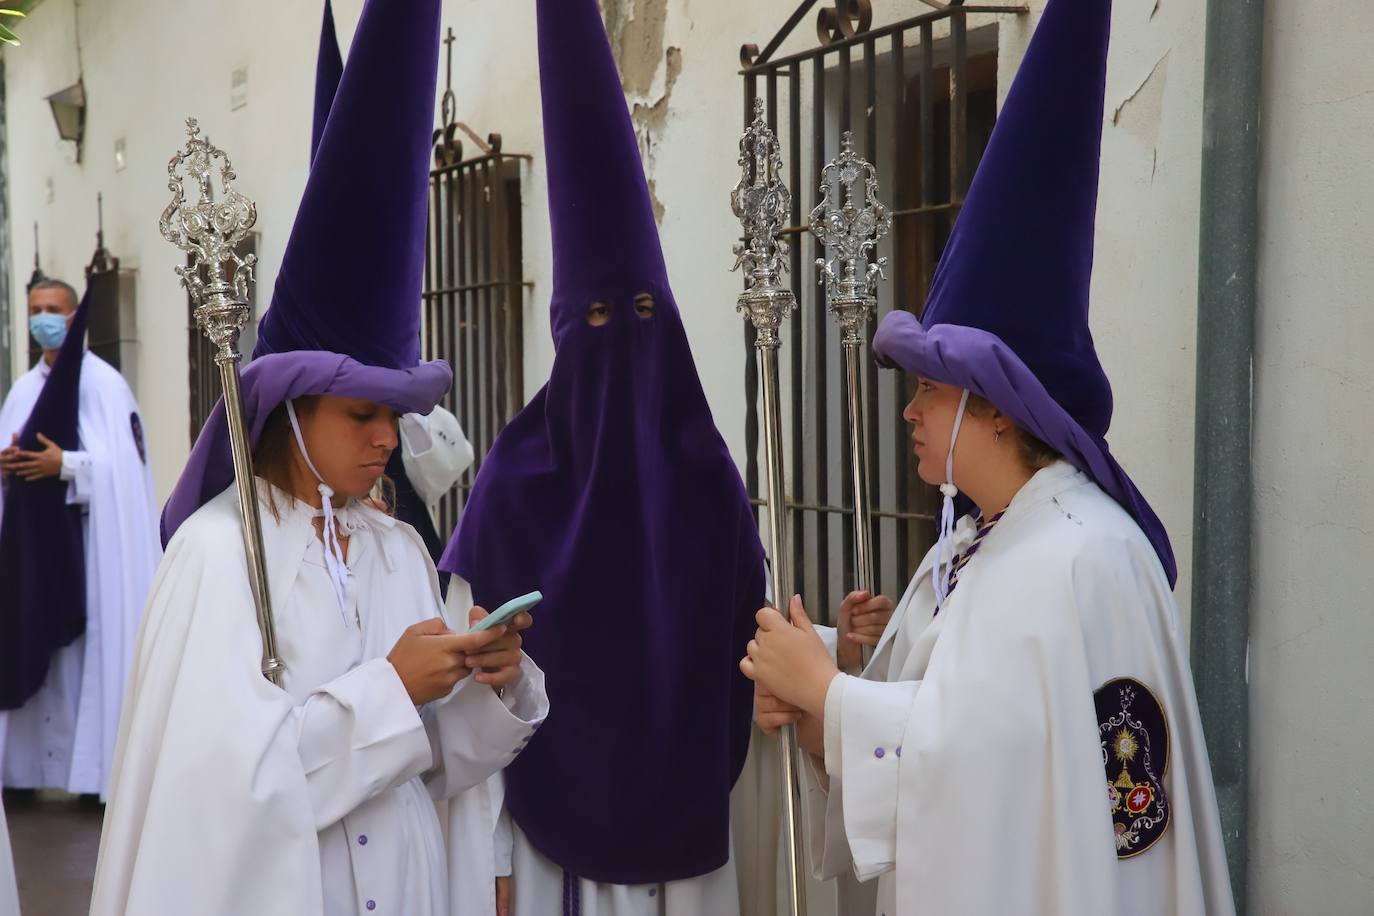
{"type": "Point", "coordinates": [210, 231]}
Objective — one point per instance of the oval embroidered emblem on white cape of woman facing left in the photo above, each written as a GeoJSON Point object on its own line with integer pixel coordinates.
{"type": "Point", "coordinates": [1136, 753]}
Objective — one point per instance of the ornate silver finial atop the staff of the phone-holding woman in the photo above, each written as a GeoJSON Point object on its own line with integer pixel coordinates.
{"type": "Point", "coordinates": [210, 231]}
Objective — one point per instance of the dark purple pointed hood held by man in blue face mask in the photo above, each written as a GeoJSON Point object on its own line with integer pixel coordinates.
{"type": "Point", "coordinates": [42, 551]}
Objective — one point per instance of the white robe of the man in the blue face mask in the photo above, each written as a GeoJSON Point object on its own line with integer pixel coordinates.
{"type": "Point", "coordinates": [64, 737]}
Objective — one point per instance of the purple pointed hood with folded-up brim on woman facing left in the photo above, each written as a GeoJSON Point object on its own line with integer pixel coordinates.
{"type": "Point", "coordinates": [1008, 315]}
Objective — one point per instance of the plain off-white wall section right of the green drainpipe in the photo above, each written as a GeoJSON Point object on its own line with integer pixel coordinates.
{"type": "Point", "coordinates": [1313, 639]}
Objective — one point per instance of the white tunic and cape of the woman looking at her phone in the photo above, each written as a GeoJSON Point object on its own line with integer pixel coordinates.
{"type": "Point", "coordinates": [321, 797]}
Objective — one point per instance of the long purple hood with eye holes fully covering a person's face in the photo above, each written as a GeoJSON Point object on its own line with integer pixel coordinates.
{"type": "Point", "coordinates": [613, 494]}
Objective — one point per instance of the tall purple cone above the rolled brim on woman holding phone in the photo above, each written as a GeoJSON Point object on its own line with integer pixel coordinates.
{"type": "Point", "coordinates": [354, 268]}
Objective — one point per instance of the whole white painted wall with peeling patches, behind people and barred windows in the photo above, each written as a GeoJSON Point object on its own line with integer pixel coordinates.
{"type": "Point", "coordinates": [1313, 826]}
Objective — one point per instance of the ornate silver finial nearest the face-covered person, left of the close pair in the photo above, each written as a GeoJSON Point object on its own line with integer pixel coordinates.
{"type": "Point", "coordinates": [763, 204]}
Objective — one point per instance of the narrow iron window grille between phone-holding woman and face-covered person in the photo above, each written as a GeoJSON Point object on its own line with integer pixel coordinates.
{"type": "Point", "coordinates": [475, 290]}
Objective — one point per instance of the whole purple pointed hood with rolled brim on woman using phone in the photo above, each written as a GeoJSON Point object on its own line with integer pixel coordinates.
{"type": "Point", "coordinates": [346, 315]}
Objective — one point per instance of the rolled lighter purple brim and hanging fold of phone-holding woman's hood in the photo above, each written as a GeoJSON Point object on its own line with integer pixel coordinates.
{"type": "Point", "coordinates": [270, 381]}
